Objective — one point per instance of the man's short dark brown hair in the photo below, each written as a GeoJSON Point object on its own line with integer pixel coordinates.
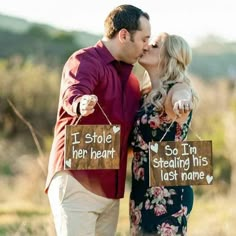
{"type": "Point", "coordinates": [123, 17]}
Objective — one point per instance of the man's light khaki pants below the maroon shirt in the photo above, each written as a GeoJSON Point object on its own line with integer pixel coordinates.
{"type": "Point", "coordinates": [78, 212]}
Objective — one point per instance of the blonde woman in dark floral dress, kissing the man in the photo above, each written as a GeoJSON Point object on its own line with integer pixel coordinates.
{"type": "Point", "coordinates": [165, 114]}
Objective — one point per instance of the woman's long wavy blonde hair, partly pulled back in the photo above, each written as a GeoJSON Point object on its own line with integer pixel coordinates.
{"type": "Point", "coordinates": [175, 57]}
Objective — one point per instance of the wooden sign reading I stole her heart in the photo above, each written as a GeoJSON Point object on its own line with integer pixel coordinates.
{"type": "Point", "coordinates": [92, 147]}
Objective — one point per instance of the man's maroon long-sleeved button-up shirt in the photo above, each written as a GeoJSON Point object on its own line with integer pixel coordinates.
{"type": "Point", "coordinates": [94, 71]}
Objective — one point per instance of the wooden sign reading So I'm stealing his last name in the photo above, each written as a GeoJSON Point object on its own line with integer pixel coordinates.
{"type": "Point", "coordinates": [180, 163]}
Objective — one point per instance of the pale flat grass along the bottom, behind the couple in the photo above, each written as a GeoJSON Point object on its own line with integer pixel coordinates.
{"type": "Point", "coordinates": [214, 216]}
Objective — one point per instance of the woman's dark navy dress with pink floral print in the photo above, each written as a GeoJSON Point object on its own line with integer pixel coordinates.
{"type": "Point", "coordinates": [156, 210]}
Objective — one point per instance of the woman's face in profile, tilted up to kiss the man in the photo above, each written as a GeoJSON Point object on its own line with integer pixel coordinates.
{"type": "Point", "coordinates": [151, 58]}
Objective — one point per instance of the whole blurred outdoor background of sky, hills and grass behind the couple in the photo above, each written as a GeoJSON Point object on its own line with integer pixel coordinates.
{"type": "Point", "coordinates": [36, 38]}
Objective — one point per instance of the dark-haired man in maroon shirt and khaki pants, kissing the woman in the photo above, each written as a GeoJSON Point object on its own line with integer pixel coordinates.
{"type": "Point", "coordinates": [86, 202]}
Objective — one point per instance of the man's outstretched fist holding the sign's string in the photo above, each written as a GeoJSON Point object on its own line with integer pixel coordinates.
{"type": "Point", "coordinates": [87, 104]}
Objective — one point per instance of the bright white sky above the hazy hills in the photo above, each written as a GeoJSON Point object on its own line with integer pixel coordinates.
{"type": "Point", "coordinates": [192, 19]}
